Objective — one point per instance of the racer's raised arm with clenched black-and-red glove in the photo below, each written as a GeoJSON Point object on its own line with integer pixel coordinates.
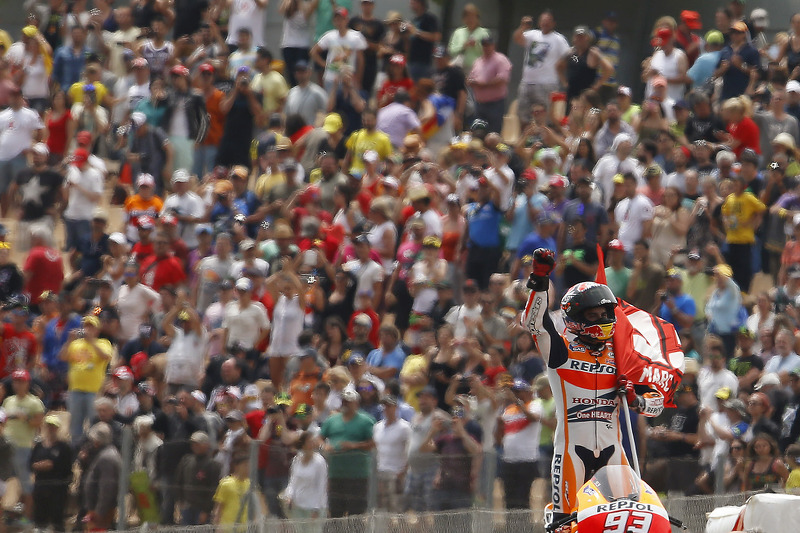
{"type": "Point", "coordinates": [535, 317]}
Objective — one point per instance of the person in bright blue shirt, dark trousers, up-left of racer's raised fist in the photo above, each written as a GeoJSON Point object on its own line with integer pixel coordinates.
{"type": "Point", "coordinates": [482, 235]}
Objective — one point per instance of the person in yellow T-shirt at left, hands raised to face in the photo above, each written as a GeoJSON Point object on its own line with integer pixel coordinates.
{"type": "Point", "coordinates": [87, 357]}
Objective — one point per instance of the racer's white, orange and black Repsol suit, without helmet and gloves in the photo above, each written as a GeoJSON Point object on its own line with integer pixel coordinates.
{"type": "Point", "coordinates": [584, 384]}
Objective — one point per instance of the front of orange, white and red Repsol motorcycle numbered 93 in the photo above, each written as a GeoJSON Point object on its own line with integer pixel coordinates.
{"type": "Point", "coordinates": [615, 500]}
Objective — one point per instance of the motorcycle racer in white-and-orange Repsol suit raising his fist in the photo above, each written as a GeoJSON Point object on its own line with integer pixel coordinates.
{"type": "Point", "coordinates": [582, 371]}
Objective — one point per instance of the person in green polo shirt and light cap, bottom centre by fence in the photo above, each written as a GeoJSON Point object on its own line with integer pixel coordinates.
{"type": "Point", "coordinates": [348, 440]}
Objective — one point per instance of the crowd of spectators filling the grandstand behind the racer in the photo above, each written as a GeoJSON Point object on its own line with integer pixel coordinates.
{"type": "Point", "coordinates": [320, 253]}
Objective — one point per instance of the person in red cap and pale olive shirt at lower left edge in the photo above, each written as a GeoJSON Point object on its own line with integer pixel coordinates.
{"type": "Point", "coordinates": [24, 413]}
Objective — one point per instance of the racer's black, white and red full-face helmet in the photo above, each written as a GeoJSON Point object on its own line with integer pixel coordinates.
{"type": "Point", "coordinates": [584, 296]}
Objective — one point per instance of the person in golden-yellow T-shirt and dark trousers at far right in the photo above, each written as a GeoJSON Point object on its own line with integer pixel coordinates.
{"type": "Point", "coordinates": [742, 213]}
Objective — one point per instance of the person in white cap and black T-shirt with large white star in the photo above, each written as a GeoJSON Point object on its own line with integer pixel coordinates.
{"type": "Point", "coordinates": [39, 187]}
